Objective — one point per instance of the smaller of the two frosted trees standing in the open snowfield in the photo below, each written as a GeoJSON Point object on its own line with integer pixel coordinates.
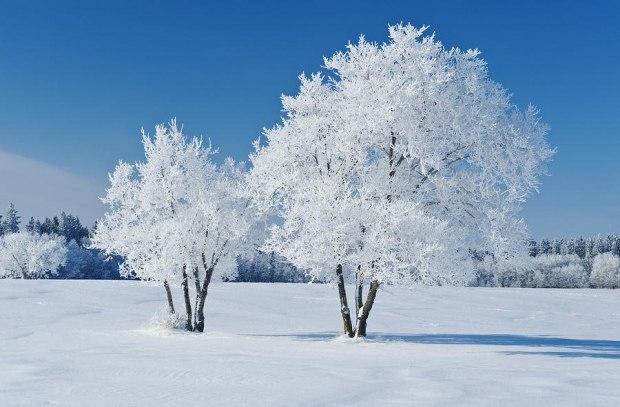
{"type": "Point", "coordinates": [176, 218]}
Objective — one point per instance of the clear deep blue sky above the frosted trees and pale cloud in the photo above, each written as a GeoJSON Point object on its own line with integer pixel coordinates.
{"type": "Point", "coordinates": [79, 79]}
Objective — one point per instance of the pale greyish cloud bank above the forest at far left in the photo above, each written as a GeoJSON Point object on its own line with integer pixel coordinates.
{"type": "Point", "coordinates": [39, 189]}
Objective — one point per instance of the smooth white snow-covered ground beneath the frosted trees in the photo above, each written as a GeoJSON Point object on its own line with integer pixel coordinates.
{"type": "Point", "coordinates": [91, 343]}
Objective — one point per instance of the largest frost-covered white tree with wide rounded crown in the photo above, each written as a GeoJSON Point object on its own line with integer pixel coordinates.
{"type": "Point", "coordinates": [393, 167]}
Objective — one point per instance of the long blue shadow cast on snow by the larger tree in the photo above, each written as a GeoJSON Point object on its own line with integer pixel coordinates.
{"type": "Point", "coordinates": [591, 348]}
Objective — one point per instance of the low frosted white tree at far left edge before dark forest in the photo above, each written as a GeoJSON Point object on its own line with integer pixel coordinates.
{"type": "Point", "coordinates": [27, 255]}
